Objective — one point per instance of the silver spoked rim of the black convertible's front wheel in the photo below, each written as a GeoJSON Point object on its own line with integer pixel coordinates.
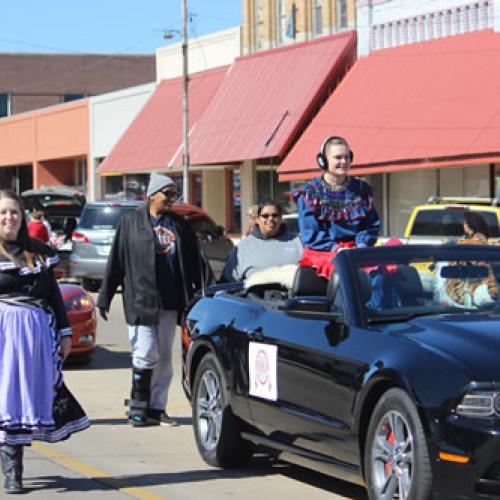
{"type": "Point", "coordinates": [392, 455]}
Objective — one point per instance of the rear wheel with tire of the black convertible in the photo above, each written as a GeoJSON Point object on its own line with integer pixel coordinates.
{"type": "Point", "coordinates": [216, 429]}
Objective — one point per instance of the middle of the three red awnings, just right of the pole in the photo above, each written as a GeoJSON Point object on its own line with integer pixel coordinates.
{"type": "Point", "coordinates": [266, 98]}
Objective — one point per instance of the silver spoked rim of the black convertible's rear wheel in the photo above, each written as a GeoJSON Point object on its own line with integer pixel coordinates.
{"type": "Point", "coordinates": [209, 410]}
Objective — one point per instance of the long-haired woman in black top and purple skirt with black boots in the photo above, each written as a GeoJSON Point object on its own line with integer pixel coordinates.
{"type": "Point", "coordinates": [35, 338]}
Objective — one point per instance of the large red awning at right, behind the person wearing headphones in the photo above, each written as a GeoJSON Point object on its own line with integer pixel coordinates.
{"type": "Point", "coordinates": [425, 105]}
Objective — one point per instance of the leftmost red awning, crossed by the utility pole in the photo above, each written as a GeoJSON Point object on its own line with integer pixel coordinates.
{"type": "Point", "coordinates": [154, 139]}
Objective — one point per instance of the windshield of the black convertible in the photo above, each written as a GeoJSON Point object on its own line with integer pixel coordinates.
{"type": "Point", "coordinates": [406, 285]}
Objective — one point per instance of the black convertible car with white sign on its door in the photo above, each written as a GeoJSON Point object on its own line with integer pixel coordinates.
{"type": "Point", "coordinates": [387, 375]}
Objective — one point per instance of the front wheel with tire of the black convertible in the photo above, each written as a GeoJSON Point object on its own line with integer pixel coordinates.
{"type": "Point", "coordinates": [396, 457]}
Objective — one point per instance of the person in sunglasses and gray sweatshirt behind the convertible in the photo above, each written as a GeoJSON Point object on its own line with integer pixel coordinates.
{"type": "Point", "coordinates": [269, 245]}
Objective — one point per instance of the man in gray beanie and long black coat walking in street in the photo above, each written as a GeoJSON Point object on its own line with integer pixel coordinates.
{"type": "Point", "coordinates": [156, 259]}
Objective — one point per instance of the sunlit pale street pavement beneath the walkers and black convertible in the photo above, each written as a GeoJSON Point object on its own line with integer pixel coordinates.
{"type": "Point", "coordinates": [113, 460]}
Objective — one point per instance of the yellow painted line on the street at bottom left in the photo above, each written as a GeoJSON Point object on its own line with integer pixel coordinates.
{"type": "Point", "coordinates": [93, 473]}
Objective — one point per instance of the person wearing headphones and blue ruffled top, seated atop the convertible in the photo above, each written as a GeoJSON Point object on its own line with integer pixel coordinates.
{"type": "Point", "coordinates": [335, 210]}
